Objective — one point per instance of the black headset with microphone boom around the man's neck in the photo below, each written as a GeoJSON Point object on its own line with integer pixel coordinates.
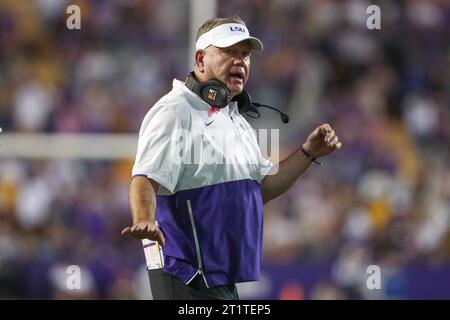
{"type": "Point", "coordinates": [216, 94]}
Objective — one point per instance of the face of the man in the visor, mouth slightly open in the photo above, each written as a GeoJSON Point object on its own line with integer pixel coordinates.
{"type": "Point", "coordinates": [231, 65]}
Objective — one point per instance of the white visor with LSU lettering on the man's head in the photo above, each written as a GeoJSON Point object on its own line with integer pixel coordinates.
{"type": "Point", "coordinates": [226, 35]}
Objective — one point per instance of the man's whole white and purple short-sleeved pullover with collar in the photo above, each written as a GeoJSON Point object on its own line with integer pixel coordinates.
{"type": "Point", "coordinates": [209, 204]}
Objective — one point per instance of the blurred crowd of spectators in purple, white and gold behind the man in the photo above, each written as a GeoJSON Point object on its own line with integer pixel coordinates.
{"type": "Point", "coordinates": [383, 200]}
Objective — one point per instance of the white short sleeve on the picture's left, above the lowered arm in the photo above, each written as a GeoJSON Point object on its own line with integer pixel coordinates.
{"type": "Point", "coordinates": [159, 148]}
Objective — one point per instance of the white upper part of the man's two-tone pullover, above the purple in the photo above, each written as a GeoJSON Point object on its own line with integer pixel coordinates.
{"type": "Point", "coordinates": [184, 145]}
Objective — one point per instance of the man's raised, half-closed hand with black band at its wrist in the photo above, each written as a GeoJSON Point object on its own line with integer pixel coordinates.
{"type": "Point", "coordinates": [322, 141]}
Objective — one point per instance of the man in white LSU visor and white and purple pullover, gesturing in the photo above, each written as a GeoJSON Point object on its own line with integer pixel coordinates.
{"type": "Point", "coordinates": [207, 211]}
